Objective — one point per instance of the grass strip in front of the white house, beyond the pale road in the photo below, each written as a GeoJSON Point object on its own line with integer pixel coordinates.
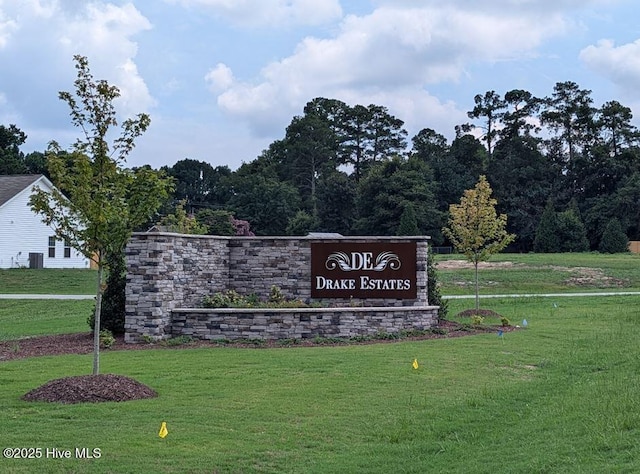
{"type": "Point", "coordinates": [48, 281]}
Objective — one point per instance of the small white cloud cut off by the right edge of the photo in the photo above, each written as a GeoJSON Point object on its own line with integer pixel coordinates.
{"type": "Point", "coordinates": [620, 64]}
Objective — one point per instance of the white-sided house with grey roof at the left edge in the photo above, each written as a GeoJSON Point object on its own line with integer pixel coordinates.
{"type": "Point", "coordinates": [25, 241]}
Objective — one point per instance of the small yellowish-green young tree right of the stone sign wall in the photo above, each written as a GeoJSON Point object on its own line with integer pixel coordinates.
{"type": "Point", "coordinates": [475, 229]}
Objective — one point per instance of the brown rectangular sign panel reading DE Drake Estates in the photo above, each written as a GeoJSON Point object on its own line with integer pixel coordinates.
{"type": "Point", "coordinates": [363, 270]}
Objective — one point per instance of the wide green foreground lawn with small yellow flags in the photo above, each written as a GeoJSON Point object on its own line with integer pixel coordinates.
{"type": "Point", "coordinates": [559, 396]}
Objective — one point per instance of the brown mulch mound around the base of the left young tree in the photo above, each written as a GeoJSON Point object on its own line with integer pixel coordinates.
{"type": "Point", "coordinates": [90, 388]}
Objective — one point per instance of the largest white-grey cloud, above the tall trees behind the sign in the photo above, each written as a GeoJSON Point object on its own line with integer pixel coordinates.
{"type": "Point", "coordinates": [395, 52]}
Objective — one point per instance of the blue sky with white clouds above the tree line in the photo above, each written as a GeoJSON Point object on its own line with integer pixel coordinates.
{"type": "Point", "coordinates": [221, 79]}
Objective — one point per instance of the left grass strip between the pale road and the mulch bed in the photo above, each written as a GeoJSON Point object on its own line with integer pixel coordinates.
{"type": "Point", "coordinates": [23, 318]}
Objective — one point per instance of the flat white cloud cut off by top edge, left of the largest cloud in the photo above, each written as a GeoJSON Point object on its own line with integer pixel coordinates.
{"type": "Point", "coordinates": [251, 13]}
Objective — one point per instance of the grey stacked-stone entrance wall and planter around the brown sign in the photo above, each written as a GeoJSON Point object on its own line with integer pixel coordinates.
{"type": "Point", "coordinates": [170, 274]}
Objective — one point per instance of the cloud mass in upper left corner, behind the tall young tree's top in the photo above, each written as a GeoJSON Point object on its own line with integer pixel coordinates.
{"type": "Point", "coordinates": [49, 33]}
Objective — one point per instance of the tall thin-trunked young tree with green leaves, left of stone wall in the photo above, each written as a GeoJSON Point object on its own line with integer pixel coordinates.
{"type": "Point", "coordinates": [97, 203]}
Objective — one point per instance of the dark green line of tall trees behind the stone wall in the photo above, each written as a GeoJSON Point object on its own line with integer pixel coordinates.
{"type": "Point", "coordinates": [565, 172]}
